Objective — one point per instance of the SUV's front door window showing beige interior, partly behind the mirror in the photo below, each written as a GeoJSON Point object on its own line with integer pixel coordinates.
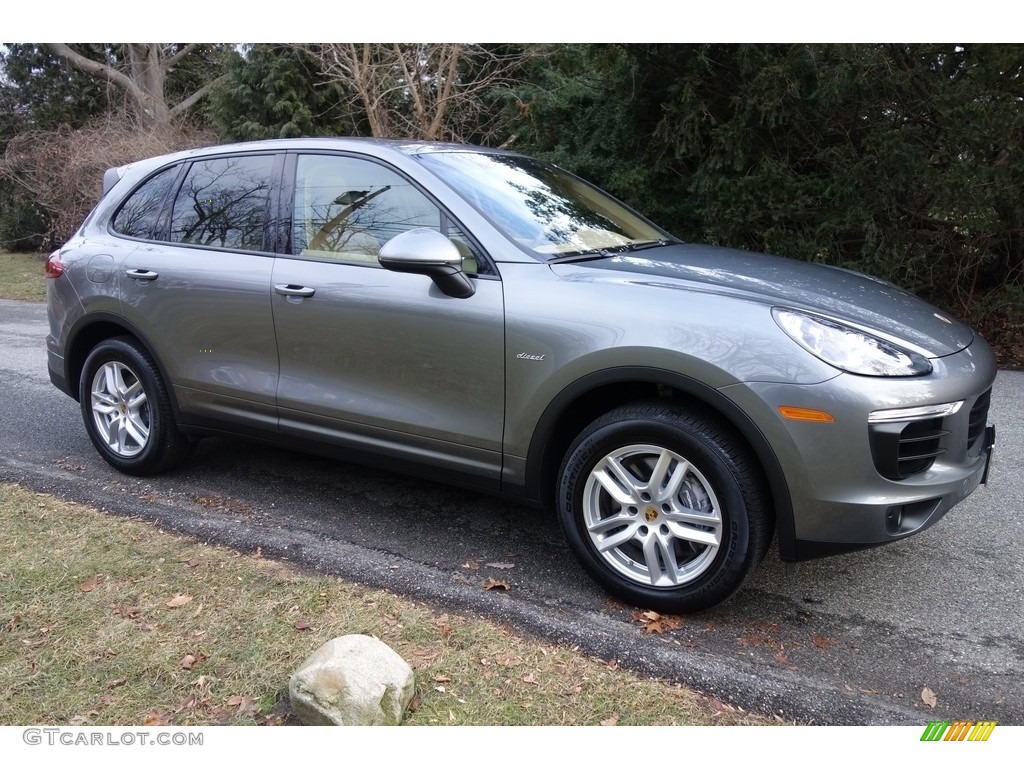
{"type": "Point", "coordinates": [348, 208]}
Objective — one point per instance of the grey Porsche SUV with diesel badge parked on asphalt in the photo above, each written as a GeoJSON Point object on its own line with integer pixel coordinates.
{"type": "Point", "coordinates": [480, 317]}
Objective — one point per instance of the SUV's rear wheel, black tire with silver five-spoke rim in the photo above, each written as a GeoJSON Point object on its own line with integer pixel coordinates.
{"type": "Point", "coordinates": [127, 411]}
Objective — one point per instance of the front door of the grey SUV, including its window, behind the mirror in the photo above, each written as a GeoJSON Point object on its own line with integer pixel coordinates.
{"type": "Point", "coordinates": [379, 361]}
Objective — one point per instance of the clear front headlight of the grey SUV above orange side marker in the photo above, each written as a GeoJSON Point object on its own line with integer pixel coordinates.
{"type": "Point", "coordinates": [847, 349]}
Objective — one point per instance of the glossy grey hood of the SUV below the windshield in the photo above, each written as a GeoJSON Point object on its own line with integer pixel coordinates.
{"type": "Point", "coordinates": [838, 293]}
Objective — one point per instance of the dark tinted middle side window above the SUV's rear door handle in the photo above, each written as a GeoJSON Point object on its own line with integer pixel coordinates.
{"type": "Point", "coordinates": [224, 203]}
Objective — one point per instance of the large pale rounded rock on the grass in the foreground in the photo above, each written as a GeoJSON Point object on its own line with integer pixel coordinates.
{"type": "Point", "coordinates": [353, 680]}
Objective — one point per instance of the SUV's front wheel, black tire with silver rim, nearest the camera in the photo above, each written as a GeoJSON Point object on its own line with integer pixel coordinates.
{"type": "Point", "coordinates": [665, 507]}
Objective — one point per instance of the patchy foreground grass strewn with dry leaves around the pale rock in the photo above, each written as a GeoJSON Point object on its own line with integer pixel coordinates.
{"type": "Point", "coordinates": [106, 621]}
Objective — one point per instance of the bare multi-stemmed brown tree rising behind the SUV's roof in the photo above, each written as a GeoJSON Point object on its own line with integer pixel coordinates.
{"type": "Point", "coordinates": [423, 91]}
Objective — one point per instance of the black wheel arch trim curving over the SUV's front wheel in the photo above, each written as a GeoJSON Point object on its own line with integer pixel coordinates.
{"type": "Point", "coordinates": [589, 398]}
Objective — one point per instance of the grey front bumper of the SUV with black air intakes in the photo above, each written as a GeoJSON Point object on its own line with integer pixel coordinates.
{"type": "Point", "coordinates": [841, 497]}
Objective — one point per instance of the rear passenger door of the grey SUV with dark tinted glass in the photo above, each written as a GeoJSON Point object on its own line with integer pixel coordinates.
{"type": "Point", "coordinates": [200, 290]}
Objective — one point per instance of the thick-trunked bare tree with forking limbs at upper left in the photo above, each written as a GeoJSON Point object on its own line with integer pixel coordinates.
{"type": "Point", "coordinates": [143, 77]}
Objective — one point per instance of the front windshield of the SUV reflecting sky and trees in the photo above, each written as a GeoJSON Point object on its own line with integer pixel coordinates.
{"type": "Point", "coordinates": [542, 208]}
